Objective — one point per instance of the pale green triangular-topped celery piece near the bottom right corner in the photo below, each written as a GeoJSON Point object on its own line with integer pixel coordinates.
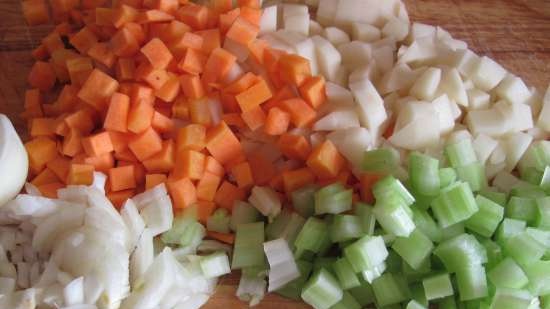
{"type": "Point", "coordinates": [508, 274]}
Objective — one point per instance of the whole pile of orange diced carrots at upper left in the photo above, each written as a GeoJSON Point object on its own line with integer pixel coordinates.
{"type": "Point", "coordinates": [150, 92]}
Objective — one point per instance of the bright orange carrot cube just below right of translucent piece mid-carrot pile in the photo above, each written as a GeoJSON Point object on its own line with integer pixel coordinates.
{"type": "Point", "coordinates": [222, 144]}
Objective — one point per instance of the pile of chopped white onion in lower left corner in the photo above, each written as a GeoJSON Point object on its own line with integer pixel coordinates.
{"type": "Point", "coordinates": [79, 252]}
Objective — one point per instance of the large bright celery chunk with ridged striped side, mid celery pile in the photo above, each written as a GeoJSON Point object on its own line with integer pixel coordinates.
{"type": "Point", "coordinates": [455, 204]}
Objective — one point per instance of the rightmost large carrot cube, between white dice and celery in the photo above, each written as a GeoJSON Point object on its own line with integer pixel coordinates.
{"type": "Point", "coordinates": [325, 160]}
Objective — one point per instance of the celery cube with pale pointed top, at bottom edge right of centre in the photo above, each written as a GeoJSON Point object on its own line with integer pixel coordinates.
{"type": "Point", "coordinates": [322, 290]}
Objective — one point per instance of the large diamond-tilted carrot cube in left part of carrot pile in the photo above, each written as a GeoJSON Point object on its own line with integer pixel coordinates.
{"type": "Point", "coordinates": [97, 89]}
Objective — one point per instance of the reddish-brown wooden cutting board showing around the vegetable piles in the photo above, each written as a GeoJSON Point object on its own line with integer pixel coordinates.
{"type": "Point", "coordinates": [516, 33]}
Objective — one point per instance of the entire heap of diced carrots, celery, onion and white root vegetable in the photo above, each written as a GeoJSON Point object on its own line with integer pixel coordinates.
{"type": "Point", "coordinates": [351, 159]}
